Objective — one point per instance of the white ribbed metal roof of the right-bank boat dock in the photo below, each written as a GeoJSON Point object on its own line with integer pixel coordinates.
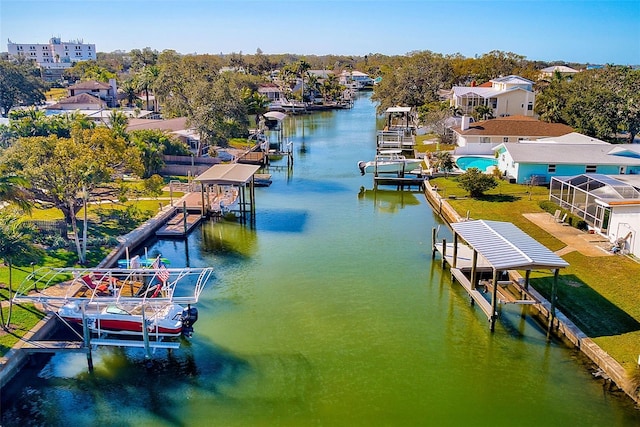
{"type": "Point", "coordinates": [506, 247]}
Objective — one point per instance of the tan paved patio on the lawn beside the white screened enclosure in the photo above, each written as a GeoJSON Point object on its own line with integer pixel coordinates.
{"type": "Point", "coordinates": [576, 240]}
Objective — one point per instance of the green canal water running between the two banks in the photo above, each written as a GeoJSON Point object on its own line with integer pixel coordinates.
{"type": "Point", "coordinates": [329, 312]}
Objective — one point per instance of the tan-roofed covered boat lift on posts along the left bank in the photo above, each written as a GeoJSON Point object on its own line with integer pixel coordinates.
{"type": "Point", "coordinates": [233, 174]}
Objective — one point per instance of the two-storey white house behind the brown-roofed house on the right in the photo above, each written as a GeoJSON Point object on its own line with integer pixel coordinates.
{"type": "Point", "coordinates": [507, 96]}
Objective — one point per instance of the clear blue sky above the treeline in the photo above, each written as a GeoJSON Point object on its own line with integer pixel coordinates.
{"type": "Point", "coordinates": [584, 31]}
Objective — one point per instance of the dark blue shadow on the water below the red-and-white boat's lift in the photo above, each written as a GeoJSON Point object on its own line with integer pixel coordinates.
{"type": "Point", "coordinates": [155, 389]}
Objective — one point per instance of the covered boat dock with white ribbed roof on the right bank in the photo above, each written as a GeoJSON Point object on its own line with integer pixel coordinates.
{"type": "Point", "coordinates": [496, 247]}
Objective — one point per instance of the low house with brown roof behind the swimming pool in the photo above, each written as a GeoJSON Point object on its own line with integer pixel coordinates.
{"type": "Point", "coordinates": [505, 129]}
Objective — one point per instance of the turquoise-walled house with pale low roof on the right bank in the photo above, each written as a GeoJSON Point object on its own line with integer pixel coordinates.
{"type": "Point", "coordinates": [569, 155]}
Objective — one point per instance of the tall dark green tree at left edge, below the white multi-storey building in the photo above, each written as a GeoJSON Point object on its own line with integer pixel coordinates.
{"type": "Point", "coordinates": [19, 85]}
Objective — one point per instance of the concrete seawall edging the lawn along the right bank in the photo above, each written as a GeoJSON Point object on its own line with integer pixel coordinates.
{"type": "Point", "coordinates": [562, 327]}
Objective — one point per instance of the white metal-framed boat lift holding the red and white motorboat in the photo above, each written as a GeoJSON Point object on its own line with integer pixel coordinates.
{"type": "Point", "coordinates": [52, 288]}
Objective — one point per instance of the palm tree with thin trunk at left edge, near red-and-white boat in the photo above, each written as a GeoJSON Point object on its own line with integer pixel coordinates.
{"type": "Point", "coordinates": [15, 249]}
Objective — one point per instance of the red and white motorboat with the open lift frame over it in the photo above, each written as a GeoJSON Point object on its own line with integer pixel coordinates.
{"type": "Point", "coordinates": [121, 303]}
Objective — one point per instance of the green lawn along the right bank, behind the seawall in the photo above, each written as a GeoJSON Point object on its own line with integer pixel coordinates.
{"type": "Point", "coordinates": [600, 295]}
